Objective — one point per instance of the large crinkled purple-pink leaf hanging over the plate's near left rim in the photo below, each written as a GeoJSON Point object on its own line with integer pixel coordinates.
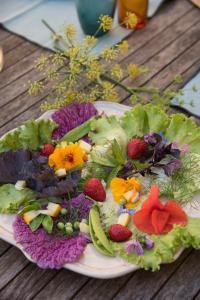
{"type": "Point", "coordinates": [46, 250]}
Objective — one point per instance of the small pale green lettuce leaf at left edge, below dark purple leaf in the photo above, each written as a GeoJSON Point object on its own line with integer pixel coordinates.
{"type": "Point", "coordinates": [11, 199]}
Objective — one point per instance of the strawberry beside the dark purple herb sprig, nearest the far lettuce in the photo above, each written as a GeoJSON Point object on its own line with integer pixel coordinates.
{"type": "Point", "coordinates": [136, 148]}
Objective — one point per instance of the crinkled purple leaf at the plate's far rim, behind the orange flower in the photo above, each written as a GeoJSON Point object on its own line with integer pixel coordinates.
{"type": "Point", "coordinates": [71, 116]}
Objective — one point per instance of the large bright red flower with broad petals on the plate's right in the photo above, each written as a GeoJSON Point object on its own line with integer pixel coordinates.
{"type": "Point", "coordinates": [154, 217]}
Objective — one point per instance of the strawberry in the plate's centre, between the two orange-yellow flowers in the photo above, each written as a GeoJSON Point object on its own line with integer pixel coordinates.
{"type": "Point", "coordinates": [94, 189]}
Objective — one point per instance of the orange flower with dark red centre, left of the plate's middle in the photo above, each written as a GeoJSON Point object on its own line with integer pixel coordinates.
{"type": "Point", "coordinates": [67, 157]}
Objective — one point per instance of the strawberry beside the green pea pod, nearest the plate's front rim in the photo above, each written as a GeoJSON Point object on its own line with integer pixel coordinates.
{"type": "Point", "coordinates": [119, 233]}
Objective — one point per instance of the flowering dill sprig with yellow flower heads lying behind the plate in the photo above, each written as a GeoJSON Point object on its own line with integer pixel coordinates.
{"type": "Point", "coordinates": [77, 74]}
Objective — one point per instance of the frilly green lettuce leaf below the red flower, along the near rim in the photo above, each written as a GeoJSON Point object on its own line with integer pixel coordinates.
{"type": "Point", "coordinates": [166, 246]}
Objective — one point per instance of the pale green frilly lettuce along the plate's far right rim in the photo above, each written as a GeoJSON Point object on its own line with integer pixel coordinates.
{"type": "Point", "coordinates": [149, 118]}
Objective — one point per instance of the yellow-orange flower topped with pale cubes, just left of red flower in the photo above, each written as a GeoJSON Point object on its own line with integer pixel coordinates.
{"type": "Point", "coordinates": [128, 189]}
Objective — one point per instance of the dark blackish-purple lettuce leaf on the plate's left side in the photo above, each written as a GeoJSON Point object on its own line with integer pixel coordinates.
{"type": "Point", "coordinates": [34, 169]}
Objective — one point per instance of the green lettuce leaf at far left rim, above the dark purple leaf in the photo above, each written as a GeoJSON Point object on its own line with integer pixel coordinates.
{"type": "Point", "coordinates": [32, 135]}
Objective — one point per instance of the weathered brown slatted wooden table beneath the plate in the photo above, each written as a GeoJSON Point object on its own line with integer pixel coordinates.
{"type": "Point", "coordinates": [169, 45]}
